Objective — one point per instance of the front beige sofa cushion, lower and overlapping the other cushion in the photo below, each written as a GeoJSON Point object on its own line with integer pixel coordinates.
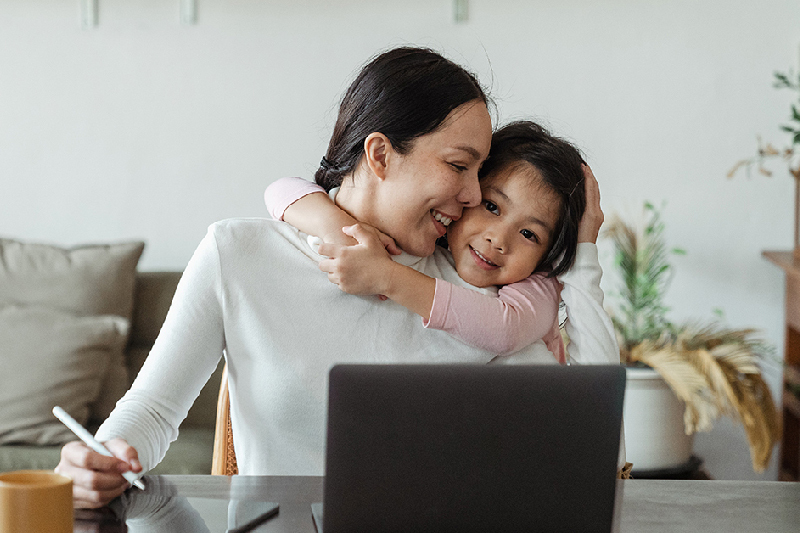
{"type": "Point", "coordinates": [47, 358]}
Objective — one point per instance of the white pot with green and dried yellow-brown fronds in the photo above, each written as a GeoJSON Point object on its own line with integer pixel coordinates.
{"type": "Point", "coordinates": [684, 374]}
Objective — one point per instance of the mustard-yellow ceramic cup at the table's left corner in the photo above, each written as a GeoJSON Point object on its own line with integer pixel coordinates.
{"type": "Point", "coordinates": [35, 501]}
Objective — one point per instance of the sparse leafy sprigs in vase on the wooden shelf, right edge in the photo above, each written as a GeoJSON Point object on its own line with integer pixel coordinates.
{"type": "Point", "coordinates": [789, 154]}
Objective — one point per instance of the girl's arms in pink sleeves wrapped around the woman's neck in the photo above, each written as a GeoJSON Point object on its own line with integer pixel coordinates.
{"type": "Point", "coordinates": [521, 314]}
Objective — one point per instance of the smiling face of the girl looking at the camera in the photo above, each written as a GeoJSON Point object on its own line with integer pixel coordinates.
{"type": "Point", "coordinates": [503, 240]}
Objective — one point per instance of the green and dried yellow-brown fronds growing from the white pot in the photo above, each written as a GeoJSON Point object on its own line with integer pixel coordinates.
{"type": "Point", "coordinates": [712, 369]}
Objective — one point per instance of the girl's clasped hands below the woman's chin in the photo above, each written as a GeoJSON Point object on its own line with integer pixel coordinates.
{"type": "Point", "coordinates": [363, 268]}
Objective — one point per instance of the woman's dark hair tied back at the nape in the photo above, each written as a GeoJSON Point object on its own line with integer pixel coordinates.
{"type": "Point", "coordinates": [403, 93]}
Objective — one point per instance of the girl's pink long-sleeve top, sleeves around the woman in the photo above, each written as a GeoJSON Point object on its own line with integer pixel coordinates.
{"type": "Point", "coordinates": [519, 315]}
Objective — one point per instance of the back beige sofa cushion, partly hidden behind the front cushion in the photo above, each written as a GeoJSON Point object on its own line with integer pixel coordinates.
{"type": "Point", "coordinates": [87, 280]}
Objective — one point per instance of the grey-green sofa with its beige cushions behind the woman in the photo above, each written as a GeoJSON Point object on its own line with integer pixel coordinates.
{"type": "Point", "coordinates": [35, 443]}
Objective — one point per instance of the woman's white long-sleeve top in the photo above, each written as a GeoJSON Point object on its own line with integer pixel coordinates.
{"type": "Point", "coordinates": [252, 291]}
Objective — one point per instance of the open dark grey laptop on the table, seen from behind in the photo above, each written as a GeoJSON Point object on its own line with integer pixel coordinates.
{"type": "Point", "coordinates": [471, 448]}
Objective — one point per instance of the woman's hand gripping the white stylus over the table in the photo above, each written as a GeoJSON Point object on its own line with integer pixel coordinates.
{"type": "Point", "coordinates": [97, 479]}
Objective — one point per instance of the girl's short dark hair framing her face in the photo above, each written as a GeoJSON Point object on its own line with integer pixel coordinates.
{"type": "Point", "coordinates": [560, 165]}
